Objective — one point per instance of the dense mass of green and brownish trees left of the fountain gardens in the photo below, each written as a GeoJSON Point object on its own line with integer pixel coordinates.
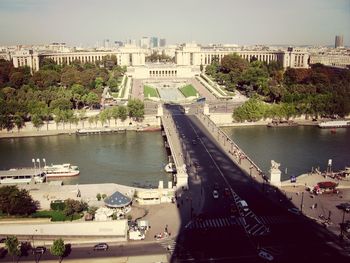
{"type": "Point", "coordinates": [53, 91]}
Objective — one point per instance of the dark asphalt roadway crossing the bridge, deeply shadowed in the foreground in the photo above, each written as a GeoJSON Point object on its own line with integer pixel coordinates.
{"type": "Point", "coordinates": [218, 230]}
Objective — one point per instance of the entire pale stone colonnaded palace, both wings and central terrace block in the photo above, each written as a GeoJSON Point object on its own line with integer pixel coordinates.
{"type": "Point", "coordinates": [188, 58]}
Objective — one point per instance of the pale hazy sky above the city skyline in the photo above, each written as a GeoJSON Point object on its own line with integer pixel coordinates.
{"type": "Point", "coordinates": [294, 22]}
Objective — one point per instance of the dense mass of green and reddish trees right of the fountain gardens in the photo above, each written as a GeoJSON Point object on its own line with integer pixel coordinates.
{"type": "Point", "coordinates": [317, 91]}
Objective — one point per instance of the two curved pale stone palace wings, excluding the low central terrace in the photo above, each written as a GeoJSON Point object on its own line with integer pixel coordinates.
{"type": "Point", "coordinates": [189, 55]}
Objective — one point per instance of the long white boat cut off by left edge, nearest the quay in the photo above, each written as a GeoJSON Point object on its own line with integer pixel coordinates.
{"type": "Point", "coordinates": [22, 176]}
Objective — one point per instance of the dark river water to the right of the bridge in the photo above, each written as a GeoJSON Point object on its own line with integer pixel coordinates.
{"type": "Point", "coordinates": [298, 149]}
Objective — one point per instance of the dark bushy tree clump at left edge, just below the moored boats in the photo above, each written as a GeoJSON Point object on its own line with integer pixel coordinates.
{"type": "Point", "coordinates": [16, 202]}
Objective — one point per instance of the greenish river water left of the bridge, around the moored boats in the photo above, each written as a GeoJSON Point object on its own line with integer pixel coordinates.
{"type": "Point", "coordinates": [132, 158]}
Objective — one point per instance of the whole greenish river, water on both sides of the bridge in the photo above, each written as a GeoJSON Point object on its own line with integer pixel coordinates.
{"type": "Point", "coordinates": [139, 158]}
